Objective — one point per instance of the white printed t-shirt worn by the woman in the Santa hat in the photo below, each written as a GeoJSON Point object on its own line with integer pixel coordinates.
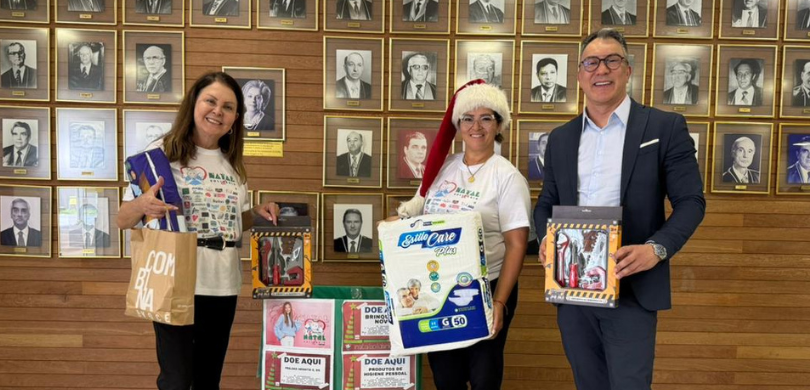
{"type": "Point", "coordinates": [499, 193]}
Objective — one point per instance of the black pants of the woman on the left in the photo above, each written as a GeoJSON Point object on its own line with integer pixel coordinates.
{"type": "Point", "coordinates": [192, 356]}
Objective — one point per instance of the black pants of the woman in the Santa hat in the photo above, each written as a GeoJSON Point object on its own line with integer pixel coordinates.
{"type": "Point", "coordinates": [480, 365]}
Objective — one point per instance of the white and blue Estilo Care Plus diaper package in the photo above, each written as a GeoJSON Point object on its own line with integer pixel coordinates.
{"type": "Point", "coordinates": [435, 280]}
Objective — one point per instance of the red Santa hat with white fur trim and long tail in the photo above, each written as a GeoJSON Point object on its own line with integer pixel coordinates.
{"type": "Point", "coordinates": [471, 96]}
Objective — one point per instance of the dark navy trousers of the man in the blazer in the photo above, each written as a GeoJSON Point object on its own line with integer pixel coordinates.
{"type": "Point", "coordinates": [610, 349]}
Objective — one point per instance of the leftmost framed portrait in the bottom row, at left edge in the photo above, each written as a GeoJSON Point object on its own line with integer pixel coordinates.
{"type": "Point", "coordinates": [25, 221]}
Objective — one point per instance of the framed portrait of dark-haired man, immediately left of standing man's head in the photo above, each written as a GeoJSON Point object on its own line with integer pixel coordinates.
{"type": "Point", "coordinates": [546, 85]}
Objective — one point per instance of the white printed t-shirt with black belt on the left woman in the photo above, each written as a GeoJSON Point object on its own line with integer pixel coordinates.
{"type": "Point", "coordinates": [213, 202]}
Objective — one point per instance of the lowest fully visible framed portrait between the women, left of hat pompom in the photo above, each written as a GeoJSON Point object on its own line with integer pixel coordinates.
{"type": "Point", "coordinates": [348, 226]}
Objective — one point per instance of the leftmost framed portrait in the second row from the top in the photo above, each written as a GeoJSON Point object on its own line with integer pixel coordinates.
{"type": "Point", "coordinates": [24, 64]}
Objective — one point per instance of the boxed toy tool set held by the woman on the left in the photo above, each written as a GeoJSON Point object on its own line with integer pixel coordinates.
{"type": "Point", "coordinates": [281, 258]}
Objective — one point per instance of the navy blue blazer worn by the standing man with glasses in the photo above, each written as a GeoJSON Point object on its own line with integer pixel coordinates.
{"type": "Point", "coordinates": [666, 168]}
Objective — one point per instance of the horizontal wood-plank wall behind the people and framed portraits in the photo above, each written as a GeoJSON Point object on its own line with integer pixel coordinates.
{"type": "Point", "coordinates": [741, 286]}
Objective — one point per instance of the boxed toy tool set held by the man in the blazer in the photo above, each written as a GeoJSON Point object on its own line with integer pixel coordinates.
{"type": "Point", "coordinates": [580, 244]}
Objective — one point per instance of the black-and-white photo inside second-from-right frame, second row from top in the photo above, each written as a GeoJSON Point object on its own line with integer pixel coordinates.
{"type": "Point", "coordinates": [745, 82]}
